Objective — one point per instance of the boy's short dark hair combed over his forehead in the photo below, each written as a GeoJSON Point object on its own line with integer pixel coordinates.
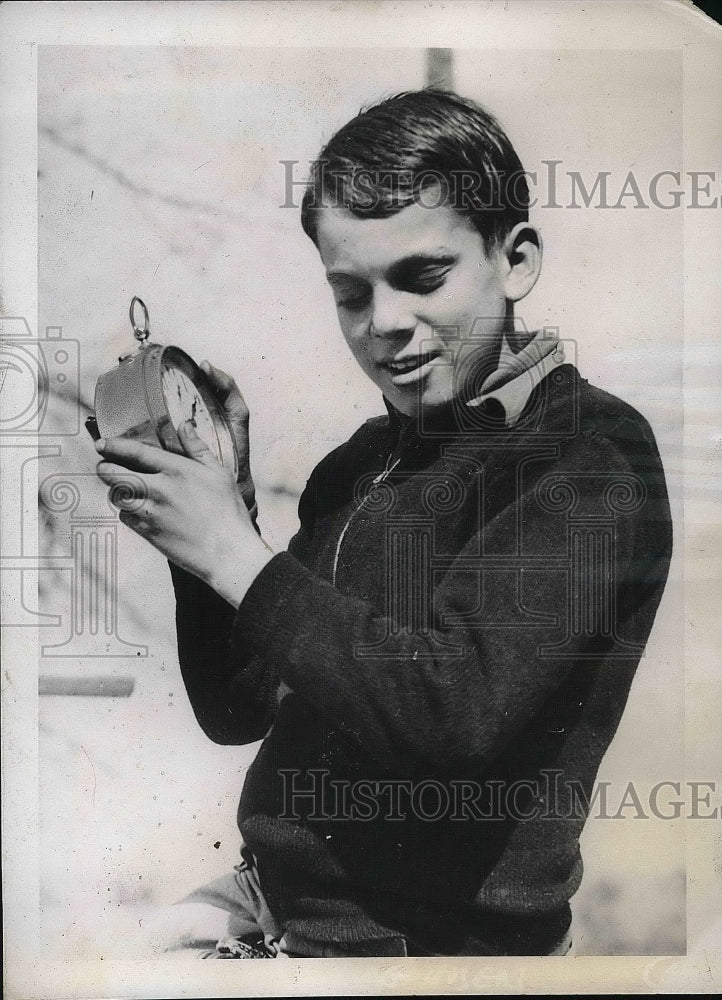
{"type": "Point", "coordinates": [428, 146]}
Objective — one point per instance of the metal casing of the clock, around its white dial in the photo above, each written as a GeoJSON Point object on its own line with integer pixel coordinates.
{"type": "Point", "coordinates": [135, 384]}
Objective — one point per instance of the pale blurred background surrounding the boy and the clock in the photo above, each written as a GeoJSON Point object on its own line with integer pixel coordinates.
{"type": "Point", "coordinates": [161, 175]}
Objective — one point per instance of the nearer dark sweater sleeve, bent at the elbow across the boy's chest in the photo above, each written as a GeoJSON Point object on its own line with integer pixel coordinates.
{"type": "Point", "coordinates": [505, 631]}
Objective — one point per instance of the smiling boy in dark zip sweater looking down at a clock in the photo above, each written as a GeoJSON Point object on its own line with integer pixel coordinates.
{"type": "Point", "coordinates": [440, 660]}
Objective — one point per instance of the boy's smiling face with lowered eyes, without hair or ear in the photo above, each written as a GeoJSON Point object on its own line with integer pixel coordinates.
{"type": "Point", "coordinates": [420, 303]}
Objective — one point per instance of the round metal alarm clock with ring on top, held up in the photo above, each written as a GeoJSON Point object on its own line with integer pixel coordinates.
{"type": "Point", "coordinates": [153, 391]}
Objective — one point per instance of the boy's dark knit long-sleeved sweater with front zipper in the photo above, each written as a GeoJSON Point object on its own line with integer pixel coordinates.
{"type": "Point", "coordinates": [458, 664]}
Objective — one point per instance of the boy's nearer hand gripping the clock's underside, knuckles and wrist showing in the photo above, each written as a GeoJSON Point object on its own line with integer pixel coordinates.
{"type": "Point", "coordinates": [191, 511]}
